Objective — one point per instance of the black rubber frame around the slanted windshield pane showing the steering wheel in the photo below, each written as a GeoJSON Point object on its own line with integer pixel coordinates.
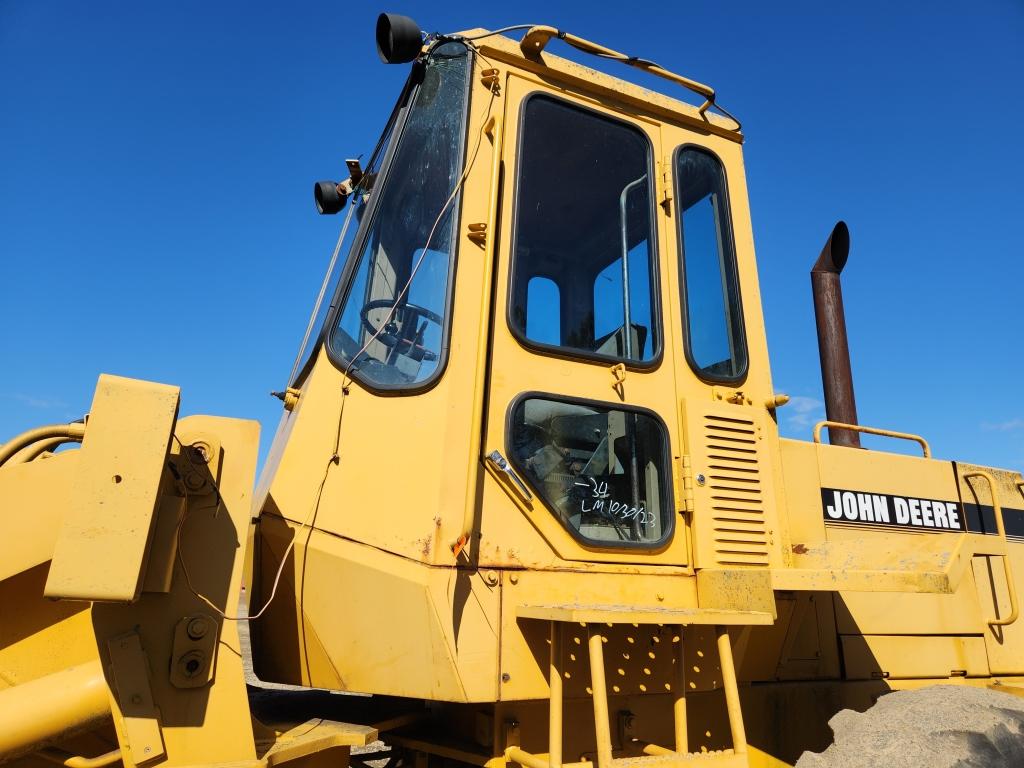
{"type": "Point", "coordinates": [360, 241]}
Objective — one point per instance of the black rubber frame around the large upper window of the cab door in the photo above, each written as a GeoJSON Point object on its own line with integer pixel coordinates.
{"type": "Point", "coordinates": [568, 354]}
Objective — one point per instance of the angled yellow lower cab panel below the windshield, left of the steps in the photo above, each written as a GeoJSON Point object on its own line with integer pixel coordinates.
{"type": "Point", "coordinates": [350, 643]}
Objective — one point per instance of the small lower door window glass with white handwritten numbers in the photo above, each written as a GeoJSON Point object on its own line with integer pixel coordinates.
{"type": "Point", "coordinates": [602, 470]}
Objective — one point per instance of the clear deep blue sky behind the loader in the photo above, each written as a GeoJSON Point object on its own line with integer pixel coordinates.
{"type": "Point", "coordinates": [156, 165]}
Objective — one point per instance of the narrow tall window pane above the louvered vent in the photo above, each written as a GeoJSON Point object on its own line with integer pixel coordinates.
{"type": "Point", "coordinates": [713, 321]}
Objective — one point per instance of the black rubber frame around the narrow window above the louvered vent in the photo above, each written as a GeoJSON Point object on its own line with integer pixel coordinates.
{"type": "Point", "coordinates": [730, 243]}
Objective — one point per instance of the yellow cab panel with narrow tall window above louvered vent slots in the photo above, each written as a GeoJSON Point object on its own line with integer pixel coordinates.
{"type": "Point", "coordinates": [728, 424]}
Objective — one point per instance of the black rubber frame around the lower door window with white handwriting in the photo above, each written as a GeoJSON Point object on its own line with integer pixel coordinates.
{"type": "Point", "coordinates": [666, 466]}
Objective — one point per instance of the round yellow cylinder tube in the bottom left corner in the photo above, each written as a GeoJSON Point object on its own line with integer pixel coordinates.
{"type": "Point", "coordinates": [52, 707]}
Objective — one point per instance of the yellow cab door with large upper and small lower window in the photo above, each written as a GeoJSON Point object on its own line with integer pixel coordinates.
{"type": "Point", "coordinates": [581, 429]}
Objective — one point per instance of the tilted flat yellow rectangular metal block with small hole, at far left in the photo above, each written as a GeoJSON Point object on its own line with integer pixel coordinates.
{"type": "Point", "coordinates": [101, 551]}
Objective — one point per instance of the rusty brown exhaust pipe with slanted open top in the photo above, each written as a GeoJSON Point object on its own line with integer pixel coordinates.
{"type": "Point", "coordinates": [837, 376]}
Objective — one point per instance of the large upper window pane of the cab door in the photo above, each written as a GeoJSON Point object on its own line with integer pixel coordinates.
{"type": "Point", "coordinates": [584, 224]}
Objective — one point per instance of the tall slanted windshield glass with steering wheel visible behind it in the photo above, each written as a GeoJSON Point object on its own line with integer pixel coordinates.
{"type": "Point", "coordinates": [392, 327]}
